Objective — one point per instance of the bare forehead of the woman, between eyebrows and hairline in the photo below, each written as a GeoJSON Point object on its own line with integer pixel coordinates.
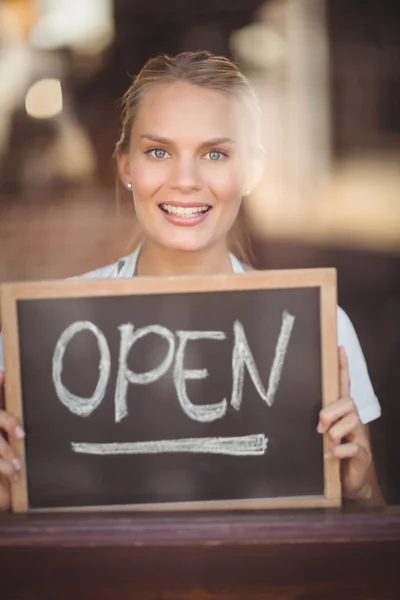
{"type": "Point", "coordinates": [182, 109]}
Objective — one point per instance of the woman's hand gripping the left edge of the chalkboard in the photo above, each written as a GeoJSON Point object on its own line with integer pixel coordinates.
{"type": "Point", "coordinates": [10, 465]}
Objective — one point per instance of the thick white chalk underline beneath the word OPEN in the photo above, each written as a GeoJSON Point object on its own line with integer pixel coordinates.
{"type": "Point", "coordinates": [249, 445]}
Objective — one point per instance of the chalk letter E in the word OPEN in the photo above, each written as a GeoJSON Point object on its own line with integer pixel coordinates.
{"type": "Point", "coordinates": [204, 413]}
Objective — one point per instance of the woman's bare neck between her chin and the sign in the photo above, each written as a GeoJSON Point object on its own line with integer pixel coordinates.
{"type": "Point", "coordinates": [156, 260]}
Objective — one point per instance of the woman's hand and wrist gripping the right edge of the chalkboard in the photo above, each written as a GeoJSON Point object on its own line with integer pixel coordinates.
{"type": "Point", "coordinates": [348, 438]}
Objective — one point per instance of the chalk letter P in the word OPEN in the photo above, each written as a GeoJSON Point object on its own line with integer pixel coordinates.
{"type": "Point", "coordinates": [126, 376]}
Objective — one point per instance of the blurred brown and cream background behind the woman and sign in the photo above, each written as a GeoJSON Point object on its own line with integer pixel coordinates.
{"type": "Point", "coordinates": [327, 73]}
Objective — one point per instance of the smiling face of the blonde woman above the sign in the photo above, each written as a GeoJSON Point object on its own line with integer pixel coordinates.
{"type": "Point", "coordinates": [186, 166]}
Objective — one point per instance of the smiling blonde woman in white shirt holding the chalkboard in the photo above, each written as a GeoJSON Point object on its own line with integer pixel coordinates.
{"type": "Point", "coordinates": [189, 153]}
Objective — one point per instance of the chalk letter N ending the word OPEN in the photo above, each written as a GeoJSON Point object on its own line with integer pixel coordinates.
{"type": "Point", "coordinates": [242, 356]}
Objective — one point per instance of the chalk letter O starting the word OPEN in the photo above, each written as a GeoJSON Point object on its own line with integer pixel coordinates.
{"type": "Point", "coordinates": [82, 407]}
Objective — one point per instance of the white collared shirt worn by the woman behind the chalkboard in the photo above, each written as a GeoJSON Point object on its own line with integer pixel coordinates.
{"type": "Point", "coordinates": [361, 388]}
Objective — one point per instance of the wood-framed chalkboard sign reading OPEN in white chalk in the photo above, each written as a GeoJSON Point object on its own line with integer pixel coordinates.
{"type": "Point", "coordinates": [173, 393]}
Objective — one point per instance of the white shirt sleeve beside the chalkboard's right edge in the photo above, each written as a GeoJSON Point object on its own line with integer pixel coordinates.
{"type": "Point", "coordinates": [361, 387]}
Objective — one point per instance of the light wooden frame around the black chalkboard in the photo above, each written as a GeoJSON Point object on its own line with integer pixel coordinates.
{"type": "Point", "coordinates": [325, 279]}
